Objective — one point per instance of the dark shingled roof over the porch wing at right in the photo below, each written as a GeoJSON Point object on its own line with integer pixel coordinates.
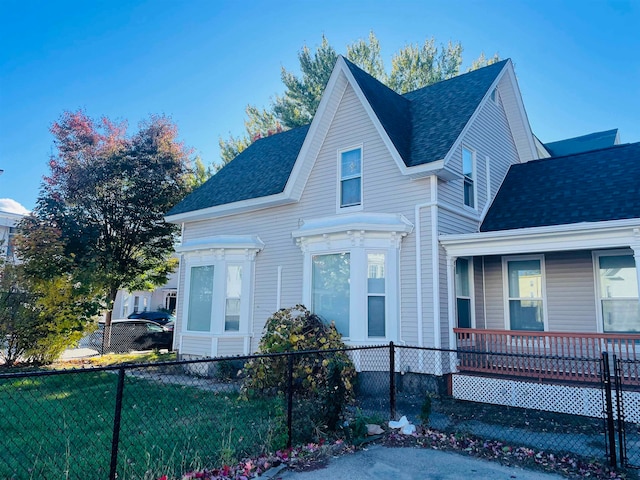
{"type": "Point", "coordinates": [595, 186]}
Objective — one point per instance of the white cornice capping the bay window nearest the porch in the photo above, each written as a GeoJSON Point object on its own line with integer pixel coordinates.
{"type": "Point", "coordinates": [368, 222]}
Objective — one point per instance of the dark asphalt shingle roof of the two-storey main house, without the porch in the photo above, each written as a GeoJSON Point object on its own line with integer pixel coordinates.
{"type": "Point", "coordinates": [423, 125]}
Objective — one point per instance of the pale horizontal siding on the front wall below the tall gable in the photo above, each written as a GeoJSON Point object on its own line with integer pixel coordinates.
{"type": "Point", "coordinates": [385, 190]}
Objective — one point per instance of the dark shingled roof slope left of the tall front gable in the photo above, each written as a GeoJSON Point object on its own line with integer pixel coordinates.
{"type": "Point", "coordinates": [259, 171]}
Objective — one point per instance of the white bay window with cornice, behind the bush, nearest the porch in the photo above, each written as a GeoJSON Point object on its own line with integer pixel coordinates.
{"type": "Point", "coordinates": [351, 275]}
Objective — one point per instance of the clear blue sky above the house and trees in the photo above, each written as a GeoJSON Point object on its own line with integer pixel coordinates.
{"type": "Point", "coordinates": [202, 62]}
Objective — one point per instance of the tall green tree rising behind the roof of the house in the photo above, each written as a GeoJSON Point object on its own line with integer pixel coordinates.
{"type": "Point", "coordinates": [412, 67]}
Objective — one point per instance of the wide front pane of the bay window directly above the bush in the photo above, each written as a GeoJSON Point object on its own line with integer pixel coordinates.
{"type": "Point", "coordinates": [331, 289]}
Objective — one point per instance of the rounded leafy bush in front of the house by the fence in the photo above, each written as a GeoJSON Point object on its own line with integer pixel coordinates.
{"type": "Point", "coordinates": [323, 384]}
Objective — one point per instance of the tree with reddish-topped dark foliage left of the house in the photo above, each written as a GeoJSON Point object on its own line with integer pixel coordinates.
{"type": "Point", "coordinates": [106, 197]}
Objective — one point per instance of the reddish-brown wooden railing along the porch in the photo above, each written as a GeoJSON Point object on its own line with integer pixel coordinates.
{"type": "Point", "coordinates": [565, 356]}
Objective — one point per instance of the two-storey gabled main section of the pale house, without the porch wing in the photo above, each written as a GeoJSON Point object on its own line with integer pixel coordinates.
{"type": "Point", "coordinates": [345, 215]}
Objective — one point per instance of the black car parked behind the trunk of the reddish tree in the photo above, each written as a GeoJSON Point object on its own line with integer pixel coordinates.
{"type": "Point", "coordinates": [132, 334]}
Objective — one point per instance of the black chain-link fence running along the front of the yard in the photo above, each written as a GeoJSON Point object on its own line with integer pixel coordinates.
{"type": "Point", "coordinates": [147, 420]}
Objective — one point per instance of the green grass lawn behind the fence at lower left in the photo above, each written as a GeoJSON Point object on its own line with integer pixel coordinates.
{"type": "Point", "coordinates": [61, 426]}
